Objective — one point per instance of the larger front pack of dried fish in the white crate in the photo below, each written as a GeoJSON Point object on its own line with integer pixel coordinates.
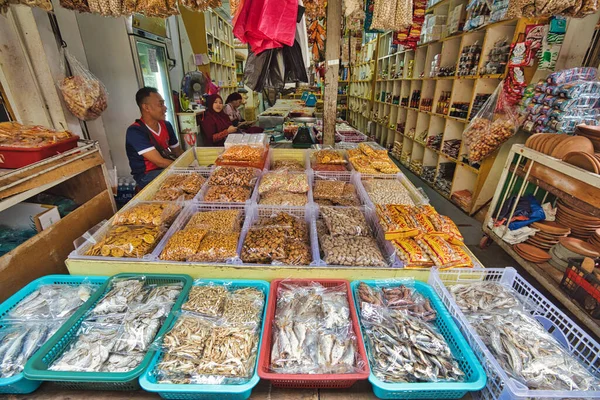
{"type": "Point", "coordinates": [531, 355]}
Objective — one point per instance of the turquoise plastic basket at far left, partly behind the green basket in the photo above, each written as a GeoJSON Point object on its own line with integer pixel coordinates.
{"type": "Point", "coordinates": [18, 384]}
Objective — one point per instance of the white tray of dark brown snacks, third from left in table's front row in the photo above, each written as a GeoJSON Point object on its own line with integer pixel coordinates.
{"type": "Point", "coordinates": [255, 211]}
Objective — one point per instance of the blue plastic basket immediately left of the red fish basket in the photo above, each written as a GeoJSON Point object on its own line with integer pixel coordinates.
{"type": "Point", "coordinates": [196, 391]}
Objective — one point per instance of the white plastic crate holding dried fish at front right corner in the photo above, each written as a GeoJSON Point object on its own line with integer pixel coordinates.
{"type": "Point", "coordinates": [500, 386]}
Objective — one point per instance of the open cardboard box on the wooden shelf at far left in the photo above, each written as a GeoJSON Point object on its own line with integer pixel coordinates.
{"type": "Point", "coordinates": [30, 215]}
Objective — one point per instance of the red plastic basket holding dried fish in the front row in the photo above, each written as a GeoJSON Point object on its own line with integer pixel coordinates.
{"type": "Point", "coordinates": [310, 381]}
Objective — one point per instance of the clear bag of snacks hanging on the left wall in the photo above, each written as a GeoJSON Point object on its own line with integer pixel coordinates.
{"type": "Point", "coordinates": [84, 95]}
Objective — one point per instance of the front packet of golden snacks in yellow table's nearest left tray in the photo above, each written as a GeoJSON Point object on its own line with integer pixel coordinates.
{"type": "Point", "coordinates": [127, 241]}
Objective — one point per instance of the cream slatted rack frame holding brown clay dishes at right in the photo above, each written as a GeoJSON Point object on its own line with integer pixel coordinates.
{"type": "Point", "coordinates": [518, 179]}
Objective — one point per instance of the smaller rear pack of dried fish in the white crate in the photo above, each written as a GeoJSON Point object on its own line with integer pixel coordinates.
{"type": "Point", "coordinates": [483, 296]}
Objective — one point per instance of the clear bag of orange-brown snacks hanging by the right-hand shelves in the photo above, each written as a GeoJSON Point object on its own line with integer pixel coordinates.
{"type": "Point", "coordinates": [493, 125]}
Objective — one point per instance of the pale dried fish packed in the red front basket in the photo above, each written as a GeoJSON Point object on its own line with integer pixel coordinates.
{"type": "Point", "coordinates": [312, 331]}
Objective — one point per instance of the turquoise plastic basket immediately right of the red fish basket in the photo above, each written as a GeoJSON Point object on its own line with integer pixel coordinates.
{"type": "Point", "coordinates": [475, 377]}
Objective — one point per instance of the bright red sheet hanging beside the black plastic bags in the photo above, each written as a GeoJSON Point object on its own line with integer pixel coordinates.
{"type": "Point", "coordinates": [266, 24]}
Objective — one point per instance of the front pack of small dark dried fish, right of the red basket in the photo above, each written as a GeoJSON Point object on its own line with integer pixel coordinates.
{"type": "Point", "coordinates": [403, 348]}
